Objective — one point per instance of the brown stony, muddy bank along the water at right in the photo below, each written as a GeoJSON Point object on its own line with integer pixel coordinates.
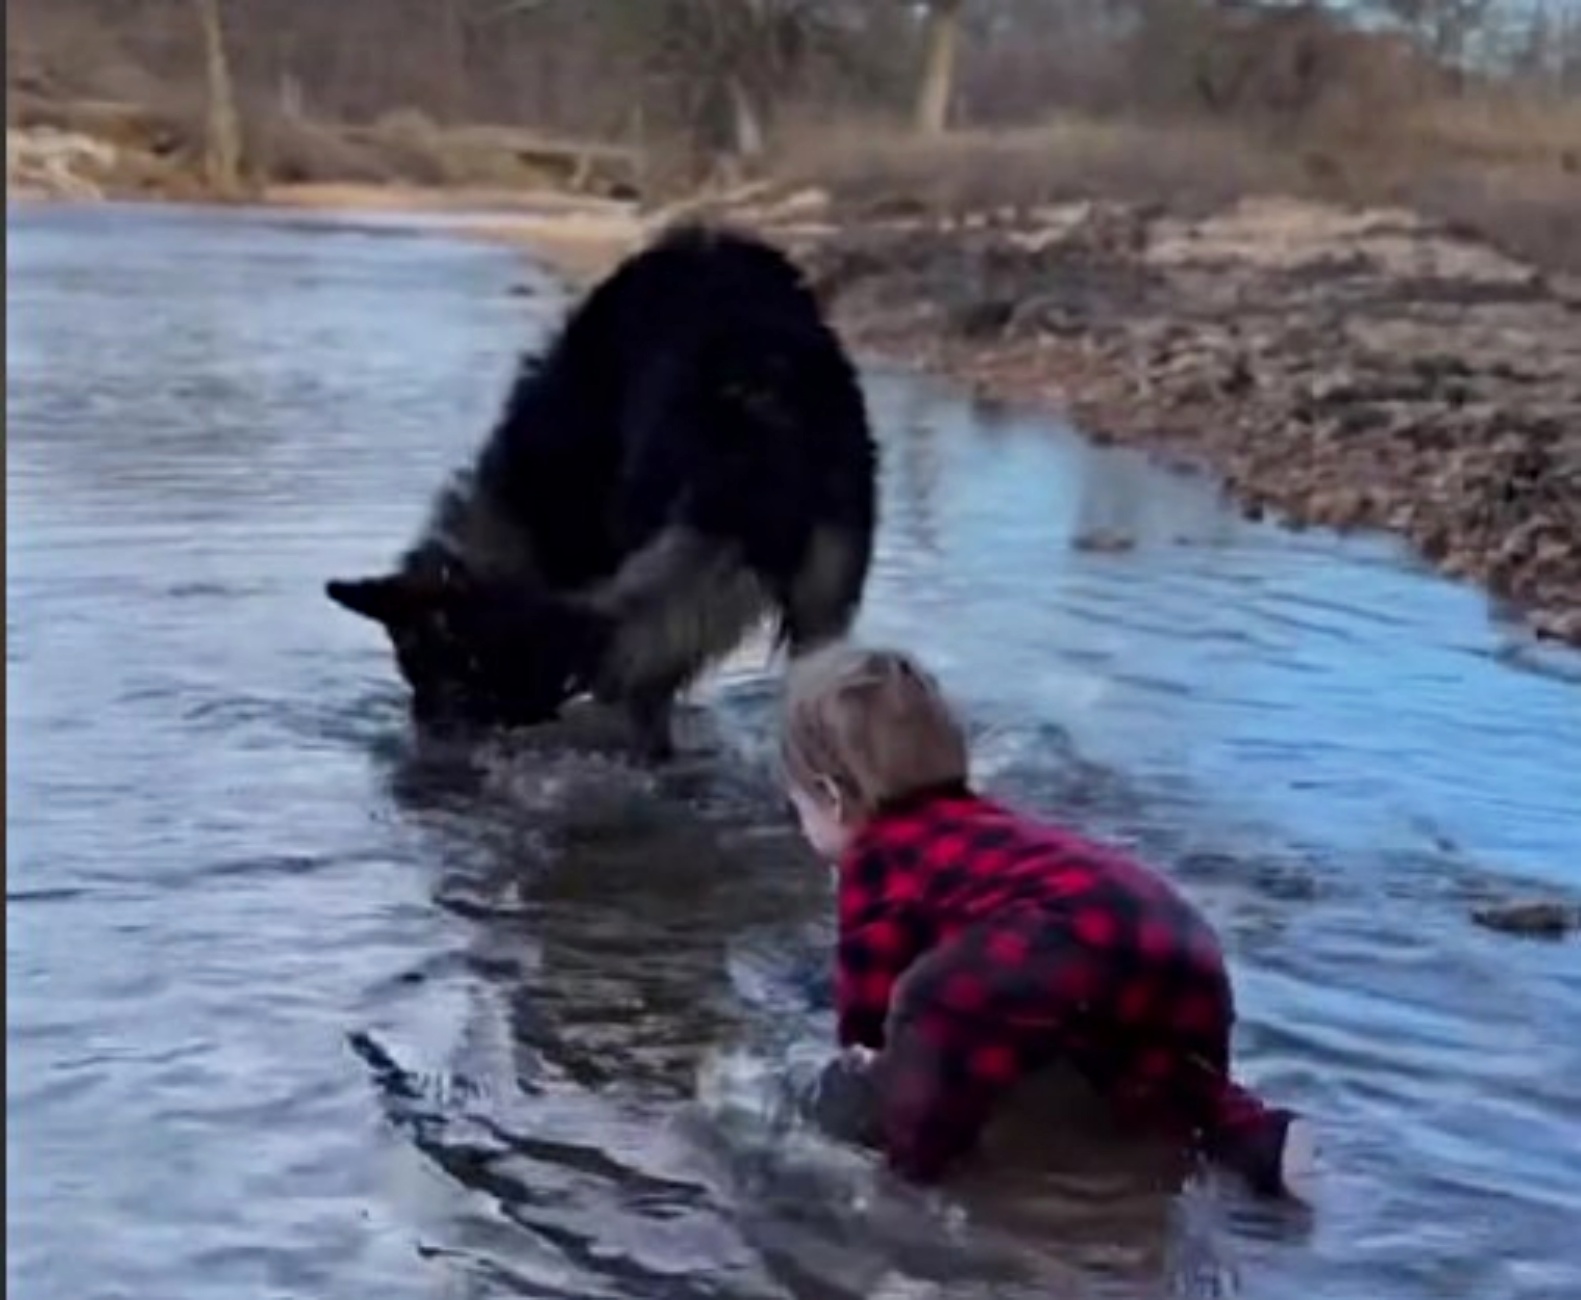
{"type": "Point", "coordinates": [1343, 369]}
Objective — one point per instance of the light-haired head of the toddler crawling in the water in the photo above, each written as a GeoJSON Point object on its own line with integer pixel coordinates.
{"type": "Point", "coordinates": [864, 728]}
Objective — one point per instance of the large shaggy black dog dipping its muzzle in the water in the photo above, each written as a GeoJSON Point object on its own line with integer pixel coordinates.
{"type": "Point", "coordinates": [690, 456]}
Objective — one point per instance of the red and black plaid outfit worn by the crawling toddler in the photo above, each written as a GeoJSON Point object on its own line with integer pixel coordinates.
{"type": "Point", "coordinates": [978, 947]}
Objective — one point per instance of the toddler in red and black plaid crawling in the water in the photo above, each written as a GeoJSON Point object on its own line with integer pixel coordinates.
{"type": "Point", "coordinates": [979, 947]}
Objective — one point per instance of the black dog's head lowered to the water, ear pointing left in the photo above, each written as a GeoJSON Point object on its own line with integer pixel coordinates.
{"type": "Point", "coordinates": [478, 651]}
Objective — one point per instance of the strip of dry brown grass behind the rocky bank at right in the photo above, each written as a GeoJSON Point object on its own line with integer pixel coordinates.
{"type": "Point", "coordinates": [1501, 168]}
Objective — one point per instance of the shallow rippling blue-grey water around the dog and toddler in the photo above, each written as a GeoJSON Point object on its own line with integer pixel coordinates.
{"type": "Point", "coordinates": [300, 1010]}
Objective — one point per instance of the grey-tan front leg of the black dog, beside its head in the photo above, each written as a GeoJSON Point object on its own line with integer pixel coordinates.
{"type": "Point", "coordinates": [679, 603]}
